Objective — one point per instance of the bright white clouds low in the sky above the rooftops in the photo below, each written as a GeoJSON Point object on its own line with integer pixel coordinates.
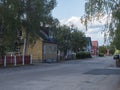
{"type": "Point", "coordinates": [95, 28]}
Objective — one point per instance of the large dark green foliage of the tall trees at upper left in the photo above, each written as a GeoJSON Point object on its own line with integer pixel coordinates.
{"type": "Point", "coordinates": [28, 15]}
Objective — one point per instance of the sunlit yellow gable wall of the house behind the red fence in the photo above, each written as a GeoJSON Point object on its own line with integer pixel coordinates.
{"type": "Point", "coordinates": [36, 50]}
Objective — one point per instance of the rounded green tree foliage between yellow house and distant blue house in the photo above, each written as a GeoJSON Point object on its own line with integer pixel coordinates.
{"type": "Point", "coordinates": [69, 39]}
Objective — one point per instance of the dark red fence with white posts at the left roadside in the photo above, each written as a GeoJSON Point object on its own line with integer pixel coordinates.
{"type": "Point", "coordinates": [15, 60]}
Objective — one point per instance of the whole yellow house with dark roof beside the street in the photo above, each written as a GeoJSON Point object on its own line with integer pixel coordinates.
{"type": "Point", "coordinates": [45, 48]}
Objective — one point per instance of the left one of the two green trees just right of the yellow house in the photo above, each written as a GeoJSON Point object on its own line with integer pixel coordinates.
{"type": "Point", "coordinates": [63, 36]}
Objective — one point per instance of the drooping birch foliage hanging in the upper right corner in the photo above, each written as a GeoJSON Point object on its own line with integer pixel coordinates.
{"type": "Point", "coordinates": [111, 8]}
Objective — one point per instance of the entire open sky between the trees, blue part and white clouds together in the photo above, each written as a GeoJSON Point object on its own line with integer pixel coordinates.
{"type": "Point", "coordinates": [70, 11]}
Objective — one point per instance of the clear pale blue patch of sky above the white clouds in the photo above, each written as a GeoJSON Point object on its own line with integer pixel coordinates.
{"type": "Point", "coordinates": [68, 8]}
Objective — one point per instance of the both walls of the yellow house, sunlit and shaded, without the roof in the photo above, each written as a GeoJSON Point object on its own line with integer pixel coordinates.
{"type": "Point", "coordinates": [42, 51]}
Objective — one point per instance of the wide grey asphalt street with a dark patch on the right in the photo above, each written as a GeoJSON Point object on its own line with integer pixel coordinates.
{"type": "Point", "coordinates": [98, 73]}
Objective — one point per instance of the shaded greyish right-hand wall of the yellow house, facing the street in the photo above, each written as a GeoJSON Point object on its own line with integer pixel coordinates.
{"type": "Point", "coordinates": [50, 51]}
